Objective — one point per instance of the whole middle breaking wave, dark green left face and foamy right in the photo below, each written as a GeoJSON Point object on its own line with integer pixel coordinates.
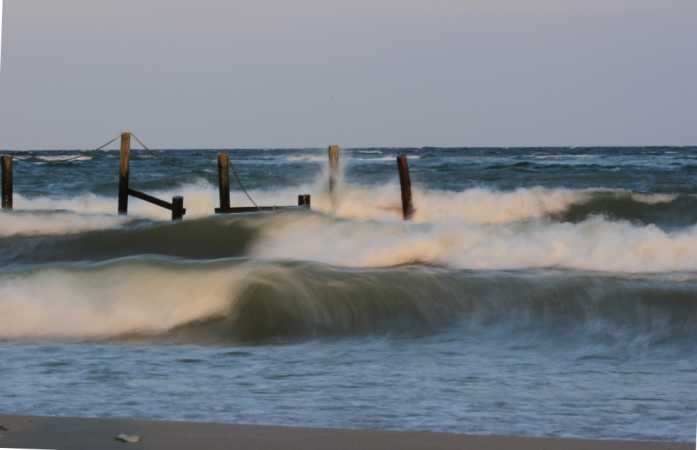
{"type": "Point", "coordinates": [595, 244]}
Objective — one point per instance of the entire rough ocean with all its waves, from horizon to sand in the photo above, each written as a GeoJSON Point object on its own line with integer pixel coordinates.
{"type": "Point", "coordinates": [536, 292]}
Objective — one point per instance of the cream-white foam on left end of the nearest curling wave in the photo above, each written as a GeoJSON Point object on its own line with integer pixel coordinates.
{"type": "Point", "coordinates": [111, 301]}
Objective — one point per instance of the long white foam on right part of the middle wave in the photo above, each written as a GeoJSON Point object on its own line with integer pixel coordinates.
{"type": "Point", "coordinates": [595, 244]}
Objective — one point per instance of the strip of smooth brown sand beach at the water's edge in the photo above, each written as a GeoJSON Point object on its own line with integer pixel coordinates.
{"type": "Point", "coordinates": [96, 434]}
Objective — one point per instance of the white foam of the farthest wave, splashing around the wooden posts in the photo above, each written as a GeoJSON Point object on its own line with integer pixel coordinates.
{"type": "Point", "coordinates": [379, 203]}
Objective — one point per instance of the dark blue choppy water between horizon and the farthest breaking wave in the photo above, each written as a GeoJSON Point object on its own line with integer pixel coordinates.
{"type": "Point", "coordinates": [652, 169]}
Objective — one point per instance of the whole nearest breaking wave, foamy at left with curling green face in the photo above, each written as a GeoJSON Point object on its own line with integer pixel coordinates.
{"type": "Point", "coordinates": [251, 301]}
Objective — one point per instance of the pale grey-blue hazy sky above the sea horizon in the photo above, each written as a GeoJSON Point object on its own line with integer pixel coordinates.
{"type": "Point", "coordinates": [309, 73]}
